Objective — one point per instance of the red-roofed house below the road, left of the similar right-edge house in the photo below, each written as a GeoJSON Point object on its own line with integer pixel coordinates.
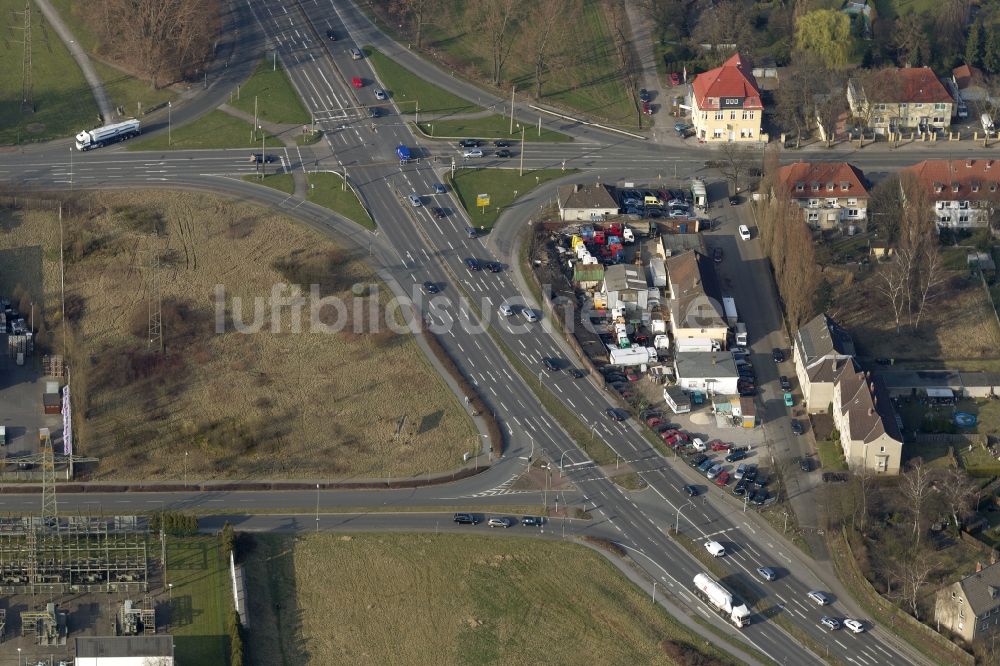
{"type": "Point", "coordinates": [831, 194]}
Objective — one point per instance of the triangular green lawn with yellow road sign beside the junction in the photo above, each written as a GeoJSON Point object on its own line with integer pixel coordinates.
{"type": "Point", "coordinates": [503, 185]}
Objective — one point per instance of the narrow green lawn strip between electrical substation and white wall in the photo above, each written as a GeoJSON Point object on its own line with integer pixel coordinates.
{"type": "Point", "coordinates": [199, 601]}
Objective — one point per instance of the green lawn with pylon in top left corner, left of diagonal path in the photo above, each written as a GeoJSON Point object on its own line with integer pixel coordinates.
{"type": "Point", "coordinates": [63, 104]}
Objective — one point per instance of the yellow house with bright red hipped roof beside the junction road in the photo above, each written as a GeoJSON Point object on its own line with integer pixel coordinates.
{"type": "Point", "coordinates": [726, 103]}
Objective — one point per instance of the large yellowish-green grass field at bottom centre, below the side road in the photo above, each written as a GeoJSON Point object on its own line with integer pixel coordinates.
{"type": "Point", "coordinates": [447, 599]}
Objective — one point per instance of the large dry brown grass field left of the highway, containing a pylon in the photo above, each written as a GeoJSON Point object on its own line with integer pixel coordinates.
{"type": "Point", "coordinates": [308, 405]}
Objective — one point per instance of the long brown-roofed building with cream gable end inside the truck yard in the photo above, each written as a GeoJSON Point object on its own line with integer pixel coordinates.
{"type": "Point", "coordinates": [695, 309]}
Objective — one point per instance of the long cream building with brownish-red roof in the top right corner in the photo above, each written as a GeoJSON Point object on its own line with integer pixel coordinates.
{"type": "Point", "coordinates": [904, 98]}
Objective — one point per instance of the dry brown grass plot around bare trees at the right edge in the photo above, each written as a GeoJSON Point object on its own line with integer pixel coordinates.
{"type": "Point", "coordinates": [958, 324]}
